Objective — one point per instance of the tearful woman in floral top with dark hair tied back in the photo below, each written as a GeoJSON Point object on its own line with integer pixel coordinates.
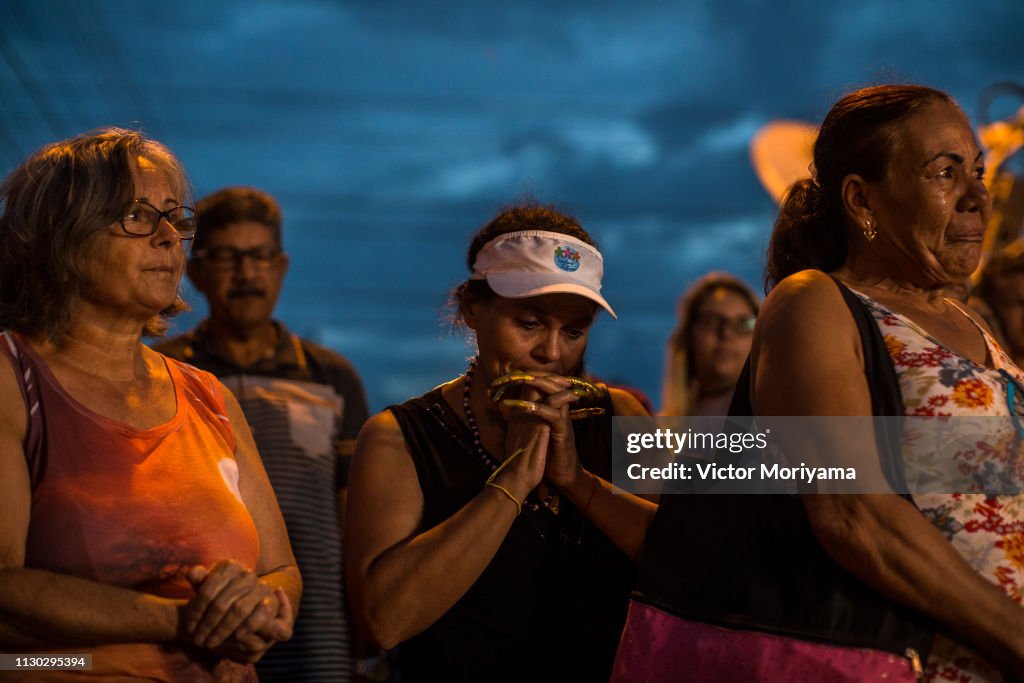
{"type": "Point", "coordinates": [898, 211]}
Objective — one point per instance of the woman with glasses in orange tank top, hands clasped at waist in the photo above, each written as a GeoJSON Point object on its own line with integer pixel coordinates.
{"type": "Point", "coordinates": [139, 526]}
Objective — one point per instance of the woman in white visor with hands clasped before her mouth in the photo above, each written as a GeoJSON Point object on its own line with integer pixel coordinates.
{"type": "Point", "coordinates": [475, 509]}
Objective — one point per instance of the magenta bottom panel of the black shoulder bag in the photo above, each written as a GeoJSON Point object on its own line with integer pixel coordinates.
{"type": "Point", "coordinates": [658, 648]}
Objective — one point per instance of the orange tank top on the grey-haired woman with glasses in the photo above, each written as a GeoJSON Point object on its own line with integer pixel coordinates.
{"type": "Point", "coordinates": [134, 508]}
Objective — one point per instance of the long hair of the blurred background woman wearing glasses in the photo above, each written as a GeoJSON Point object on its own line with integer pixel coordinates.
{"type": "Point", "coordinates": [677, 392]}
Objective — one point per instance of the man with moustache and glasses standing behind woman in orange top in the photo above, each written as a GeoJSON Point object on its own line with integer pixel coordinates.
{"type": "Point", "coordinates": [306, 406]}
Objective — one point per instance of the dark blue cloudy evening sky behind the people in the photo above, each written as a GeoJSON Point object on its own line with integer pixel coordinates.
{"type": "Point", "coordinates": [391, 132]}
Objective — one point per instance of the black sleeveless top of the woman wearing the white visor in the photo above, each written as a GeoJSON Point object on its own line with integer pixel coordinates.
{"type": "Point", "coordinates": [551, 605]}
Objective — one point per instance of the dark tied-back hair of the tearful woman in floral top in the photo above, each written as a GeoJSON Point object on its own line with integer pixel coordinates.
{"type": "Point", "coordinates": [860, 136]}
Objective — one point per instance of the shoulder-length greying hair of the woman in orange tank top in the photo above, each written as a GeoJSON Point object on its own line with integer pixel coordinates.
{"type": "Point", "coordinates": [54, 205]}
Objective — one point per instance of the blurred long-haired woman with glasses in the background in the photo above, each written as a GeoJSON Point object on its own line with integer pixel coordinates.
{"type": "Point", "coordinates": [709, 347]}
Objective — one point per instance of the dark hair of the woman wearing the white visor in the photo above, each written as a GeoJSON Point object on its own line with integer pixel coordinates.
{"type": "Point", "coordinates": [513, 220]}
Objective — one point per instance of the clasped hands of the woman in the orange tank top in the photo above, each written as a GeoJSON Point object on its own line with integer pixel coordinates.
{"type": "Point", "coordinates": [236, 614]}
